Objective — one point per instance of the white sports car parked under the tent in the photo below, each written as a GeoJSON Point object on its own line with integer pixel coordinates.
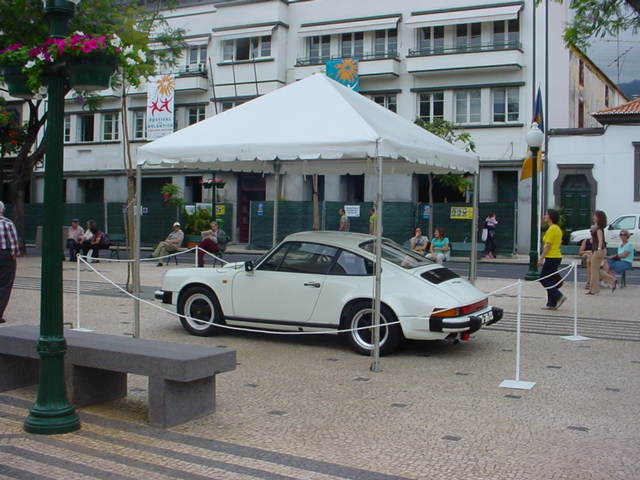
{"type": "Point", "coordinates": [325, 281]}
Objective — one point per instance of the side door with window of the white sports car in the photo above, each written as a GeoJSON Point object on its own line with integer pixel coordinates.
{"type": "Point", "coordinates": [283, 289]}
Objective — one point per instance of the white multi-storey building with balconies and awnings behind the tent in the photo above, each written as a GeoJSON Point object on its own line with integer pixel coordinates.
{"type": "Point", "coordinates": [464, 61]}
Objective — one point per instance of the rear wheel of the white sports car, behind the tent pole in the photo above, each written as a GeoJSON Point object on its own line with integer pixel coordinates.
{"type": "Point", "coordinates": [360, 314]}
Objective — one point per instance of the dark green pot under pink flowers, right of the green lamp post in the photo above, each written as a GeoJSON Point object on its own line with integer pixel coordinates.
{"type": "Point", "coordinates": [91, 72]}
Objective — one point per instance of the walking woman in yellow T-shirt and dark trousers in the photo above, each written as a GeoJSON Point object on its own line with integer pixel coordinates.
{"type": "Point", "coordinates": [550, 259]}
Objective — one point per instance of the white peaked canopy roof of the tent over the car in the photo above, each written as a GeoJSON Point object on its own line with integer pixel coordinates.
{"type": "Point", "coordinates": [315, 125]}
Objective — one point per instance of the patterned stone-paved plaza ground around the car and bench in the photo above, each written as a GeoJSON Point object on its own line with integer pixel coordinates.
{"type": "Point", "coordinates": [307, 407]}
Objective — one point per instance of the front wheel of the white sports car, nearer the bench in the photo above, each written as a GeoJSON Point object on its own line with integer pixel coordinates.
{"type": "Point", "coordinates": [200, 303]}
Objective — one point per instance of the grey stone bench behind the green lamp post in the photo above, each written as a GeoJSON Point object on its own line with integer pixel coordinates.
{"type": "Point", "coordinates": [181, 377]}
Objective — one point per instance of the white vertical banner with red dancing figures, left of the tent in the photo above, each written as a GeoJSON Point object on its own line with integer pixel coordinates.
{"type": "Point", "coordinates": [160, 96]}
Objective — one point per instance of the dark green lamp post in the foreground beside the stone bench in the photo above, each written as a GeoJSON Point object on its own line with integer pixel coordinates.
{"type": "Point", "coordinates": [52, 412]}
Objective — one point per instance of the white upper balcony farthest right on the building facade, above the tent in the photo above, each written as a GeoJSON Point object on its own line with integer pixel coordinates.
{"type": "Point", "coordinates": [494, 57]}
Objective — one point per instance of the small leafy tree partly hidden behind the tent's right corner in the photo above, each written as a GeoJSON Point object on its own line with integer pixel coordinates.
{"type": "Point", "coordinates": [447, 131]}
